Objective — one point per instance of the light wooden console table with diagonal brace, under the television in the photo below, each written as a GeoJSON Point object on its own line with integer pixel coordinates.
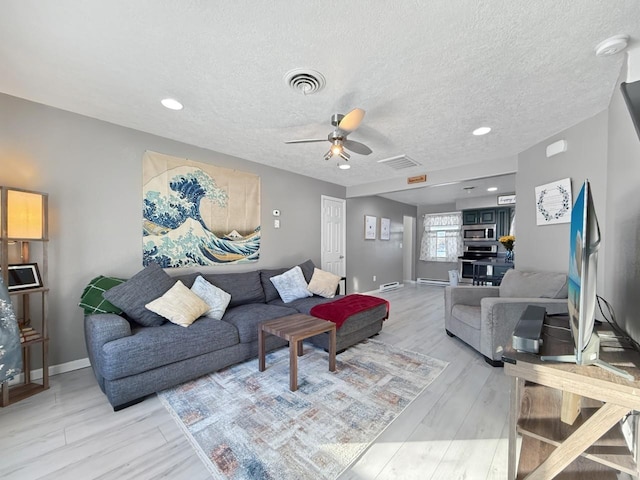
{"type": "Point", "coordinates": [591, 445]}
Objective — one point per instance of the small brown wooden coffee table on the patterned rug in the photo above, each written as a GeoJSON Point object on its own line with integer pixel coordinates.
{"type": "Point", "coordinates": [294, 329]}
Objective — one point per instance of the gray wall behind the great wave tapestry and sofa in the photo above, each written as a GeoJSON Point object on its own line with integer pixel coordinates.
{"type": "Point", "coordinates": [92, 171]}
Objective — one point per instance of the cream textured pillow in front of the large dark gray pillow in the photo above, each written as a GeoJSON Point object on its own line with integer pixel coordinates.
{"type": "Point", "coordinates": [179, 305]}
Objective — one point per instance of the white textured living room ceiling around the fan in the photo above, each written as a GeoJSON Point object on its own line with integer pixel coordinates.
{"type": "Point", "coordinates": [427, 73]}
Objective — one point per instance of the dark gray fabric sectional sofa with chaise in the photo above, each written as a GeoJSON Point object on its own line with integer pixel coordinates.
{"type": "Point", "coordinates": [131, 361]}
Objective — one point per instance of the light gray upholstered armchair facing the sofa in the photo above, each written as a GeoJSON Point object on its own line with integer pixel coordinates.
{"type": "Point", "coordinates": [484, 317]}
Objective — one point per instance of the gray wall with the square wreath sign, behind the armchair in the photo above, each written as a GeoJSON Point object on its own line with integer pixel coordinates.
{"type": "Point", "coordinates": [546, 247]}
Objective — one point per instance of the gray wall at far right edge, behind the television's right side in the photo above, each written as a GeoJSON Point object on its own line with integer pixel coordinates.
{"type": "Point", "coordinates": [622, 227]}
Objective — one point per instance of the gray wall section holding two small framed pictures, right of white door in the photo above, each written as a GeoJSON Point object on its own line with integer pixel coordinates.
{"type": "Point", "coordinates": [382, 258]}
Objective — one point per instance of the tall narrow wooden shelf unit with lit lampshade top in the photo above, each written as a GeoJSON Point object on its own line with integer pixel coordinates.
{"type": "Point", "coordinates": [33, 322]}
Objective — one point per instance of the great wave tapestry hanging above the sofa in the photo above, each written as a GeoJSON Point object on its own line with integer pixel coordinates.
{"type": "Point", "coordinates": [198, 214]}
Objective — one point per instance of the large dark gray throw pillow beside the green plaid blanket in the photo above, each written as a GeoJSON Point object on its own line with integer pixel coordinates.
{"type": "Point", "coordinates": [145, 286]}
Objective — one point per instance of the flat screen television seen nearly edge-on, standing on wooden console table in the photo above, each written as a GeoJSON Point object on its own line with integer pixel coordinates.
{"type": "Point", "coordinates": [584, 242]}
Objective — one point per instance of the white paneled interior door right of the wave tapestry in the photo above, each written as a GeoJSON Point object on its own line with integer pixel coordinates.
{"type": "Point", "coordinates": [333, 231]}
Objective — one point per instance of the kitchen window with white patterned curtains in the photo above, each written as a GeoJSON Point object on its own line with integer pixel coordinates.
{"type": "Point", "coordinates": [441, 239]}
